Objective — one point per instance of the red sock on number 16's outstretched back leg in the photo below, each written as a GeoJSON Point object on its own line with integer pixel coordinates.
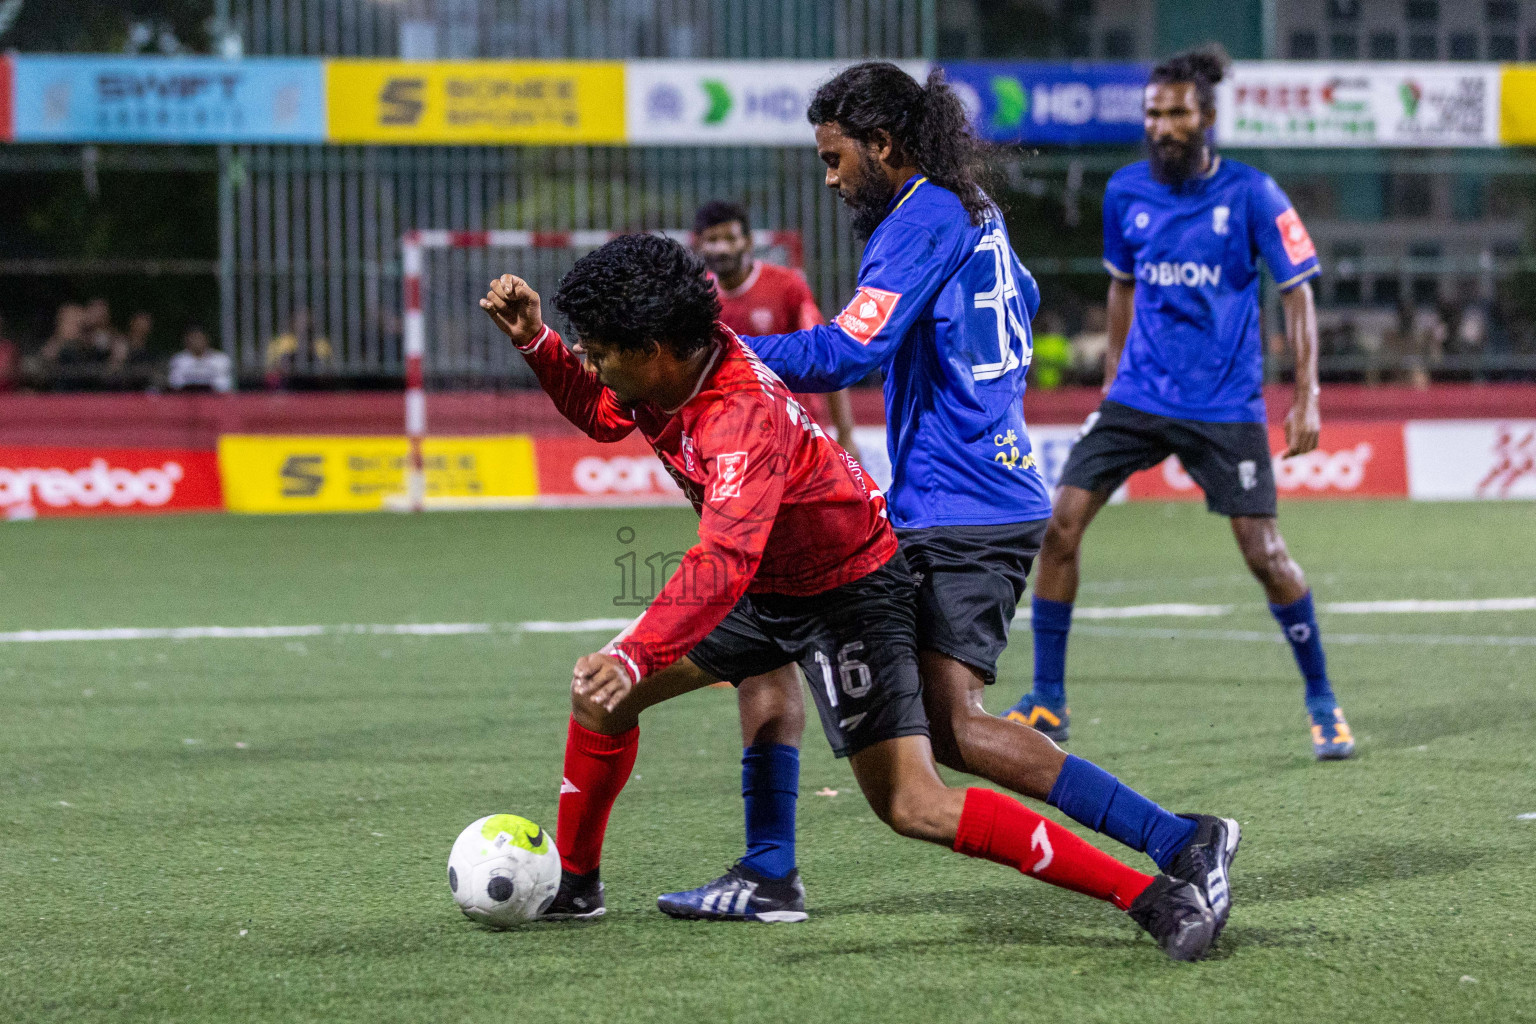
{"type": "Point", "coordinates": [1005, 831]}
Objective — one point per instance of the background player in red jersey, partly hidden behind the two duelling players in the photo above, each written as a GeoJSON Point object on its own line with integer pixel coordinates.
{"type": "Point", "coordinates": [764, 299]}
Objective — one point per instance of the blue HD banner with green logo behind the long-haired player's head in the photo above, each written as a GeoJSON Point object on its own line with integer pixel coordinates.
{"type": "Point", "coordinates": [1053, 104]}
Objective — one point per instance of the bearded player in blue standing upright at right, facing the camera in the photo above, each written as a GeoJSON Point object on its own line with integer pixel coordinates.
{"type": "Point", "coordinates": [1183, 236]}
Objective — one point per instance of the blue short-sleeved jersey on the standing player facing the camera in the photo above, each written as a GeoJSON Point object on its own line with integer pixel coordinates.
{"type": "Point", "coordinates": [1194, 351]}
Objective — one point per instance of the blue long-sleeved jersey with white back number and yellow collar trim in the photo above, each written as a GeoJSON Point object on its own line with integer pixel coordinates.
{"type": "Point", "coordinates": [944, 308]}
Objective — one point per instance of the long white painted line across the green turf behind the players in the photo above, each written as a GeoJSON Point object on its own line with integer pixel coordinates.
{"type": "Point", "coordinates": [612, 626]}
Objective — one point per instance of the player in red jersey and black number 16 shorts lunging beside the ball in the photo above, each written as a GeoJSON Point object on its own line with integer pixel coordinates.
{"type": "Point", "coordinates": [796, 563]}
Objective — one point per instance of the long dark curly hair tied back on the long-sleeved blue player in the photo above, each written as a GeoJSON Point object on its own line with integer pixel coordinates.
{"type": "Point", "coordinates": [927, 124]}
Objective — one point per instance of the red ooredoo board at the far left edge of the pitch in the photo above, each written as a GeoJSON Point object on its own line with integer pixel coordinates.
{"type": "Point", "coordinates": [47, 481]}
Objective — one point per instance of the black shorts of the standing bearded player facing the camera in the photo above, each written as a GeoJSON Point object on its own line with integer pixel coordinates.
{"type": "Point", "coordinates": [1230, 461]}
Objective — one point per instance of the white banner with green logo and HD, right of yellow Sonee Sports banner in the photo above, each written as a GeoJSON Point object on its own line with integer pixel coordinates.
{"type": "Point", "coordinates": [727, 102]}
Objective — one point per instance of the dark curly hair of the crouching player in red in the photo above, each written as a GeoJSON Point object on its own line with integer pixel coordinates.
{"type": "Point", "coordinates": [641, 289]}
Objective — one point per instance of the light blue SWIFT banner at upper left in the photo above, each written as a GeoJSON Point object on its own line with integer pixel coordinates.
{"type": "Point", "coordinates": [168, 101]}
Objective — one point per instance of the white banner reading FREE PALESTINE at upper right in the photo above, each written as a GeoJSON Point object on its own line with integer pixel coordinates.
{"type": "Point", "coordinates": [1325, 105]}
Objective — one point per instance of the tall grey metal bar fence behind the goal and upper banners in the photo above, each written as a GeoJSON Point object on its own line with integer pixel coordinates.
{"type": "Point", "coordinates": [310, 236]}
